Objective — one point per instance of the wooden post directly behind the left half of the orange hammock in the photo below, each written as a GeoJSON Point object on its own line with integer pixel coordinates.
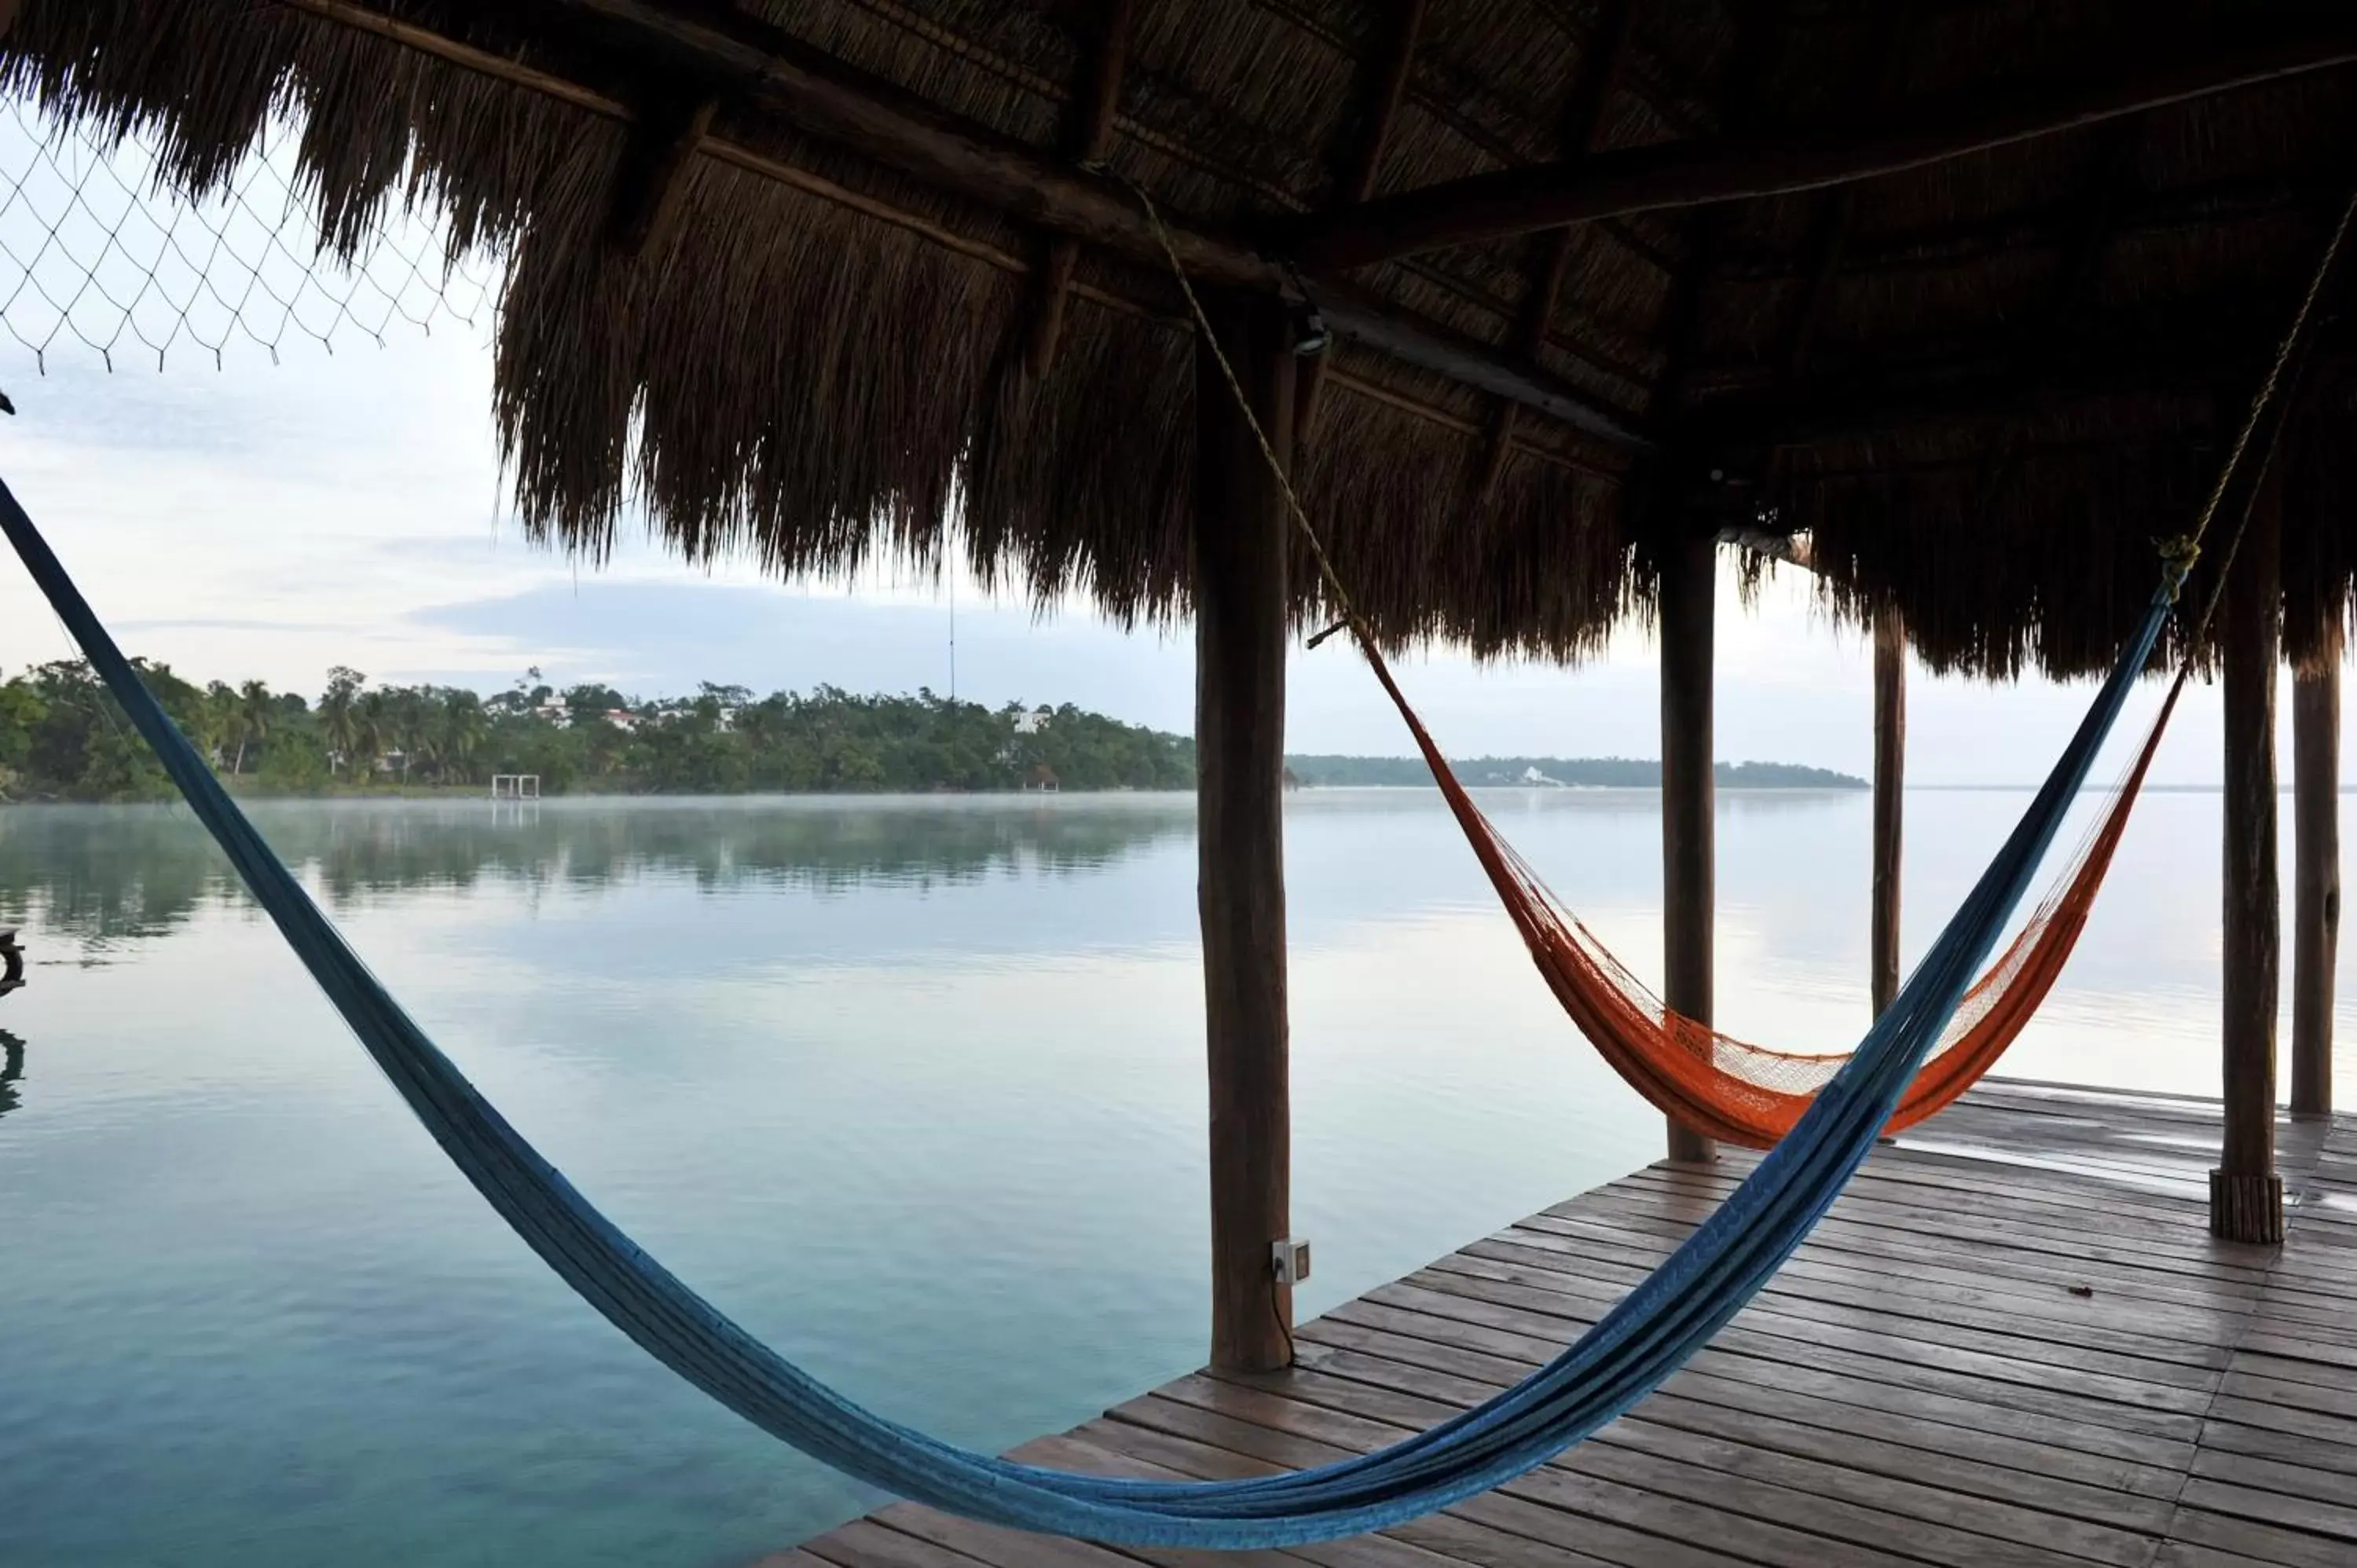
{"type": "Point", "coordinates": [1689, 793]}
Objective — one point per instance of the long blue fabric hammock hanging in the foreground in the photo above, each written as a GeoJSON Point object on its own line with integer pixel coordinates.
{"type": "Point", "coordinates": [1602, 1376]}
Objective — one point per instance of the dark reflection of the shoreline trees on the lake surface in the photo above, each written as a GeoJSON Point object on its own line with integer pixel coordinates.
{"type": "Point", "coordinates": [126, 874]}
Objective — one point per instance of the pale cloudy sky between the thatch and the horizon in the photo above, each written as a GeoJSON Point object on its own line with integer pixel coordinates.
{"type": "Point", "coordinates": [312, 506]}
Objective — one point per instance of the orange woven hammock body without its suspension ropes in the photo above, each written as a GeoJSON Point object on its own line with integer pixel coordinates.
{"type": "Point", "coordinates": [1745, 1093]}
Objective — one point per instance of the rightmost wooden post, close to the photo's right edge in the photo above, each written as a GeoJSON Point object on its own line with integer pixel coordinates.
{"type": "Point", "coordinates": [2316, 883]}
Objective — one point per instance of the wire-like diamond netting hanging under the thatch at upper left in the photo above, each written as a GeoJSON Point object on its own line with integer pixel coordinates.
{"type": "Point", "coordinates": [98, 256]}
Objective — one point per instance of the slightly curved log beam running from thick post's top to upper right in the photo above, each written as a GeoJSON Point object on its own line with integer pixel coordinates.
{"type": "Point", "coordinates": [1736, 169]}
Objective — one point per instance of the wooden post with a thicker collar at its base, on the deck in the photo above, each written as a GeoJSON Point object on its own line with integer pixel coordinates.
{"type": "Point", "coordinates": [2247, 1197]}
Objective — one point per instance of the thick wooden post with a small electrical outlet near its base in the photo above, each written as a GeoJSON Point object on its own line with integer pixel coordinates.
{"type": "Point", "coordinates": [1241, 635]}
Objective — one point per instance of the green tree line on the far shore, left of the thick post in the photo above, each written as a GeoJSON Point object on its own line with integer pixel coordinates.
{"type": "Point", "coordinates": [62, 737]}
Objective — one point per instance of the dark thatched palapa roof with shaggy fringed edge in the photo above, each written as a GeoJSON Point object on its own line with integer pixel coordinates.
{"type": "Point", "coordinates": [1969, 289]}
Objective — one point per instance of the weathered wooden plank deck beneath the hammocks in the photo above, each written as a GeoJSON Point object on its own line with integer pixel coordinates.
{"type": "Point", "coordinates": [2012, 1343]}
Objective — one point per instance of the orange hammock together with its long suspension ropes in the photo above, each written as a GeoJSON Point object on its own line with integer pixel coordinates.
{"type": "Point", "coordinates": [1715, 1083]}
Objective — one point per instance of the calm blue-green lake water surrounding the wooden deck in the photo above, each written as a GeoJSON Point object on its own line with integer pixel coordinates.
{"type": "Point", "coordinates": [911, 1088]}
